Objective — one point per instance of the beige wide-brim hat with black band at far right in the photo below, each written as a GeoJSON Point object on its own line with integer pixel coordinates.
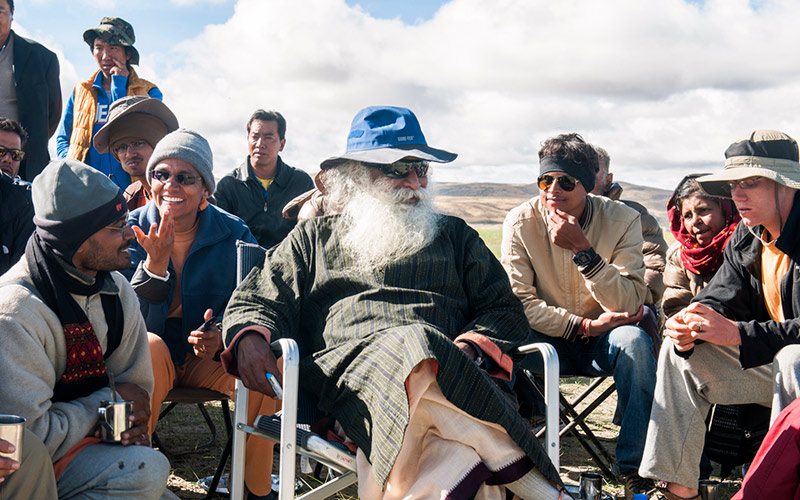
{"type": "Point", "coordinates": [763, 153]}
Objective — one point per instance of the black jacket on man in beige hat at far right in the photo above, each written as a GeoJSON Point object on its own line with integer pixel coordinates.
{"type": "Point", "coordinates": [736, 292]}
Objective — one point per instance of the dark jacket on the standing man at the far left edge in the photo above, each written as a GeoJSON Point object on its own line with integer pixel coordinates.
{"type": "Point", "coordinates": [39, 99]}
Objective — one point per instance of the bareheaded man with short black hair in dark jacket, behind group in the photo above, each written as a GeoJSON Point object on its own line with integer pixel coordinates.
{"type": "Point", "coordinates": [263, 184]}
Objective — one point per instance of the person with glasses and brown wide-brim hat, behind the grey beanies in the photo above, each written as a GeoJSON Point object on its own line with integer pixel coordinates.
{"type": "Point", "coordinates": [135, 125]}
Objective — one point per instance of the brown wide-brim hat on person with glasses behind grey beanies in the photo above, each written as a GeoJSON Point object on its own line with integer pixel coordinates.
{"type": "Point", "coordinates": [122, 121]}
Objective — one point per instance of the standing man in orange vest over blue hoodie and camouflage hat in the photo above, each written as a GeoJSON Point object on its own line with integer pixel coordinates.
{"type": "Point", "coordinates": [88, 106]}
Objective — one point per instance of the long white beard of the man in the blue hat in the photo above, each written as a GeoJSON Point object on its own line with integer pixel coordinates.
{"type": "Point", "coordinates": [377, 227]}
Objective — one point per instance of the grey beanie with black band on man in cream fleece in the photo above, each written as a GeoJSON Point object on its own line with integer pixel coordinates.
{"type": "Point", "coordinates": [71, 202]}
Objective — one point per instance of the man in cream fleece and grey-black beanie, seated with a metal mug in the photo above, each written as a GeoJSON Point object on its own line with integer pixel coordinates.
{"type": "Point", "coordinates": [69, 321]}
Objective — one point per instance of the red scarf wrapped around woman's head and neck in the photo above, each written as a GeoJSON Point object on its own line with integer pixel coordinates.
{"type": "Point", "coordinates": [698, 259]}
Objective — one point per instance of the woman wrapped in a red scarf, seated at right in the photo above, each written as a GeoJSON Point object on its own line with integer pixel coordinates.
{"type": "Point", "coordinates": [702, 225]}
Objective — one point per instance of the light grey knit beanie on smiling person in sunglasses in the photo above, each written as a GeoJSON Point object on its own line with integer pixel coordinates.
{"type": "Point", "coordinates": [189, 146]}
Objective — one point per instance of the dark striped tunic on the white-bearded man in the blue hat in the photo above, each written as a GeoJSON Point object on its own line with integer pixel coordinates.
{"type": "Point", "coordinates": [361, 333]}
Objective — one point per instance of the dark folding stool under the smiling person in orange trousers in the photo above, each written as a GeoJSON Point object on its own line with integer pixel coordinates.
{"type": "Point", "coordinates": [198, 396]}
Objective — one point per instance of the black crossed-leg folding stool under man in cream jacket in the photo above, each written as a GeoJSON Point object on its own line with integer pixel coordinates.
{"type": "Point", "coordinates": [574, 421]}
